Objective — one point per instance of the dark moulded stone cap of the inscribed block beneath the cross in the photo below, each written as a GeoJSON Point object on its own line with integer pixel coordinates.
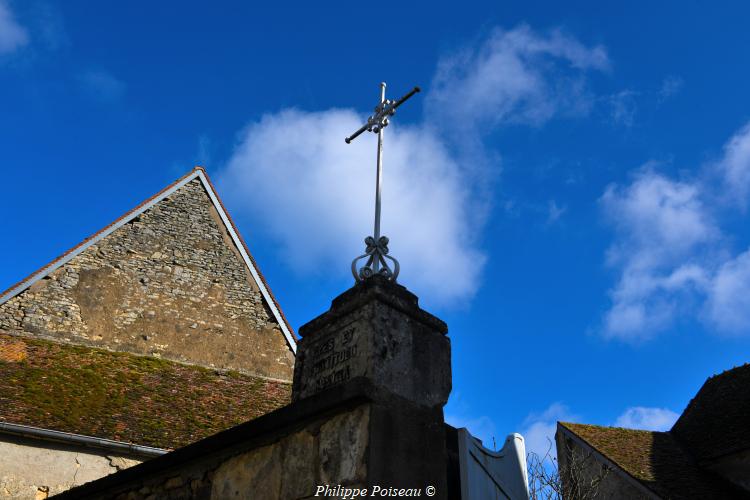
{"type": "Point", "coordinates": [380, 289]}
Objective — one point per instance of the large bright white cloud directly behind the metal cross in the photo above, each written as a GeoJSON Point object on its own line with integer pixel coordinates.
{"type": "Point", "coordinates": [293, 171]}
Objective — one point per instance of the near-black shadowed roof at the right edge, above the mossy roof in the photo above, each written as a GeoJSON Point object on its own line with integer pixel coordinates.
{"type": "Point", "coordinates": [717, 419]}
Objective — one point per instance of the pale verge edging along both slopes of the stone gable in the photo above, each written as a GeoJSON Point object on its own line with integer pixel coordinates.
{"type": "Point", "coordinates": [199, 173]}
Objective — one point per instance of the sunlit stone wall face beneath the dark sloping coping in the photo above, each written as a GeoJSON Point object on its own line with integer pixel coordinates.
{"type": "Point", "coordinates": [326, 451]}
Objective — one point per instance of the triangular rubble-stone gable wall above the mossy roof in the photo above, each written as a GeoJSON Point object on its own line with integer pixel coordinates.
{"type": "Point", "coordinates": [170, 283]}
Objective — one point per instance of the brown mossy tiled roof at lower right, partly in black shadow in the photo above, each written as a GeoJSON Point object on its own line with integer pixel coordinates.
{"type": "Point", "coordinates": [656, 460]}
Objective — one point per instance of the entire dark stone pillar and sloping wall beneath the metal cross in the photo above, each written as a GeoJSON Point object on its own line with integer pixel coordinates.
{"type": "Point", "coordinates": [366, 430]}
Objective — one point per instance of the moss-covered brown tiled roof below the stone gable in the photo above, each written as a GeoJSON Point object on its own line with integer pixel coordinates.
{"type": "Point", "coordinates": [125, 397]}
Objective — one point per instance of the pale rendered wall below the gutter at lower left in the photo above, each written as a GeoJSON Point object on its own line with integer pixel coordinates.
{"type": "Point", "coordinates": [33, 470]}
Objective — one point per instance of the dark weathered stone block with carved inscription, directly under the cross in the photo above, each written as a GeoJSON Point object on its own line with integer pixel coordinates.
{"type": "Point", "coordinates": [376, 330]}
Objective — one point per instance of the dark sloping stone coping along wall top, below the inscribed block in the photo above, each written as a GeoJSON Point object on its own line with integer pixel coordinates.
{"type": "Point", "coordinates": [261, 431]}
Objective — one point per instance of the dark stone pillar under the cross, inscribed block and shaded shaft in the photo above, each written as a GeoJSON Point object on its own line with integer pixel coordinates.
{"type": "Point", "coordinates": [376, 333]}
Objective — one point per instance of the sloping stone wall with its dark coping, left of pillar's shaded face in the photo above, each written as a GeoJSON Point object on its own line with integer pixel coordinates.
{"type": "Point", "coordinates": [284, 455]}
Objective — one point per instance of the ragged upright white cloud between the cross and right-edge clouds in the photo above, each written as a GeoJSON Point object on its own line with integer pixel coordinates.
{"type": "Point", "coordinates": [661, 226]}
